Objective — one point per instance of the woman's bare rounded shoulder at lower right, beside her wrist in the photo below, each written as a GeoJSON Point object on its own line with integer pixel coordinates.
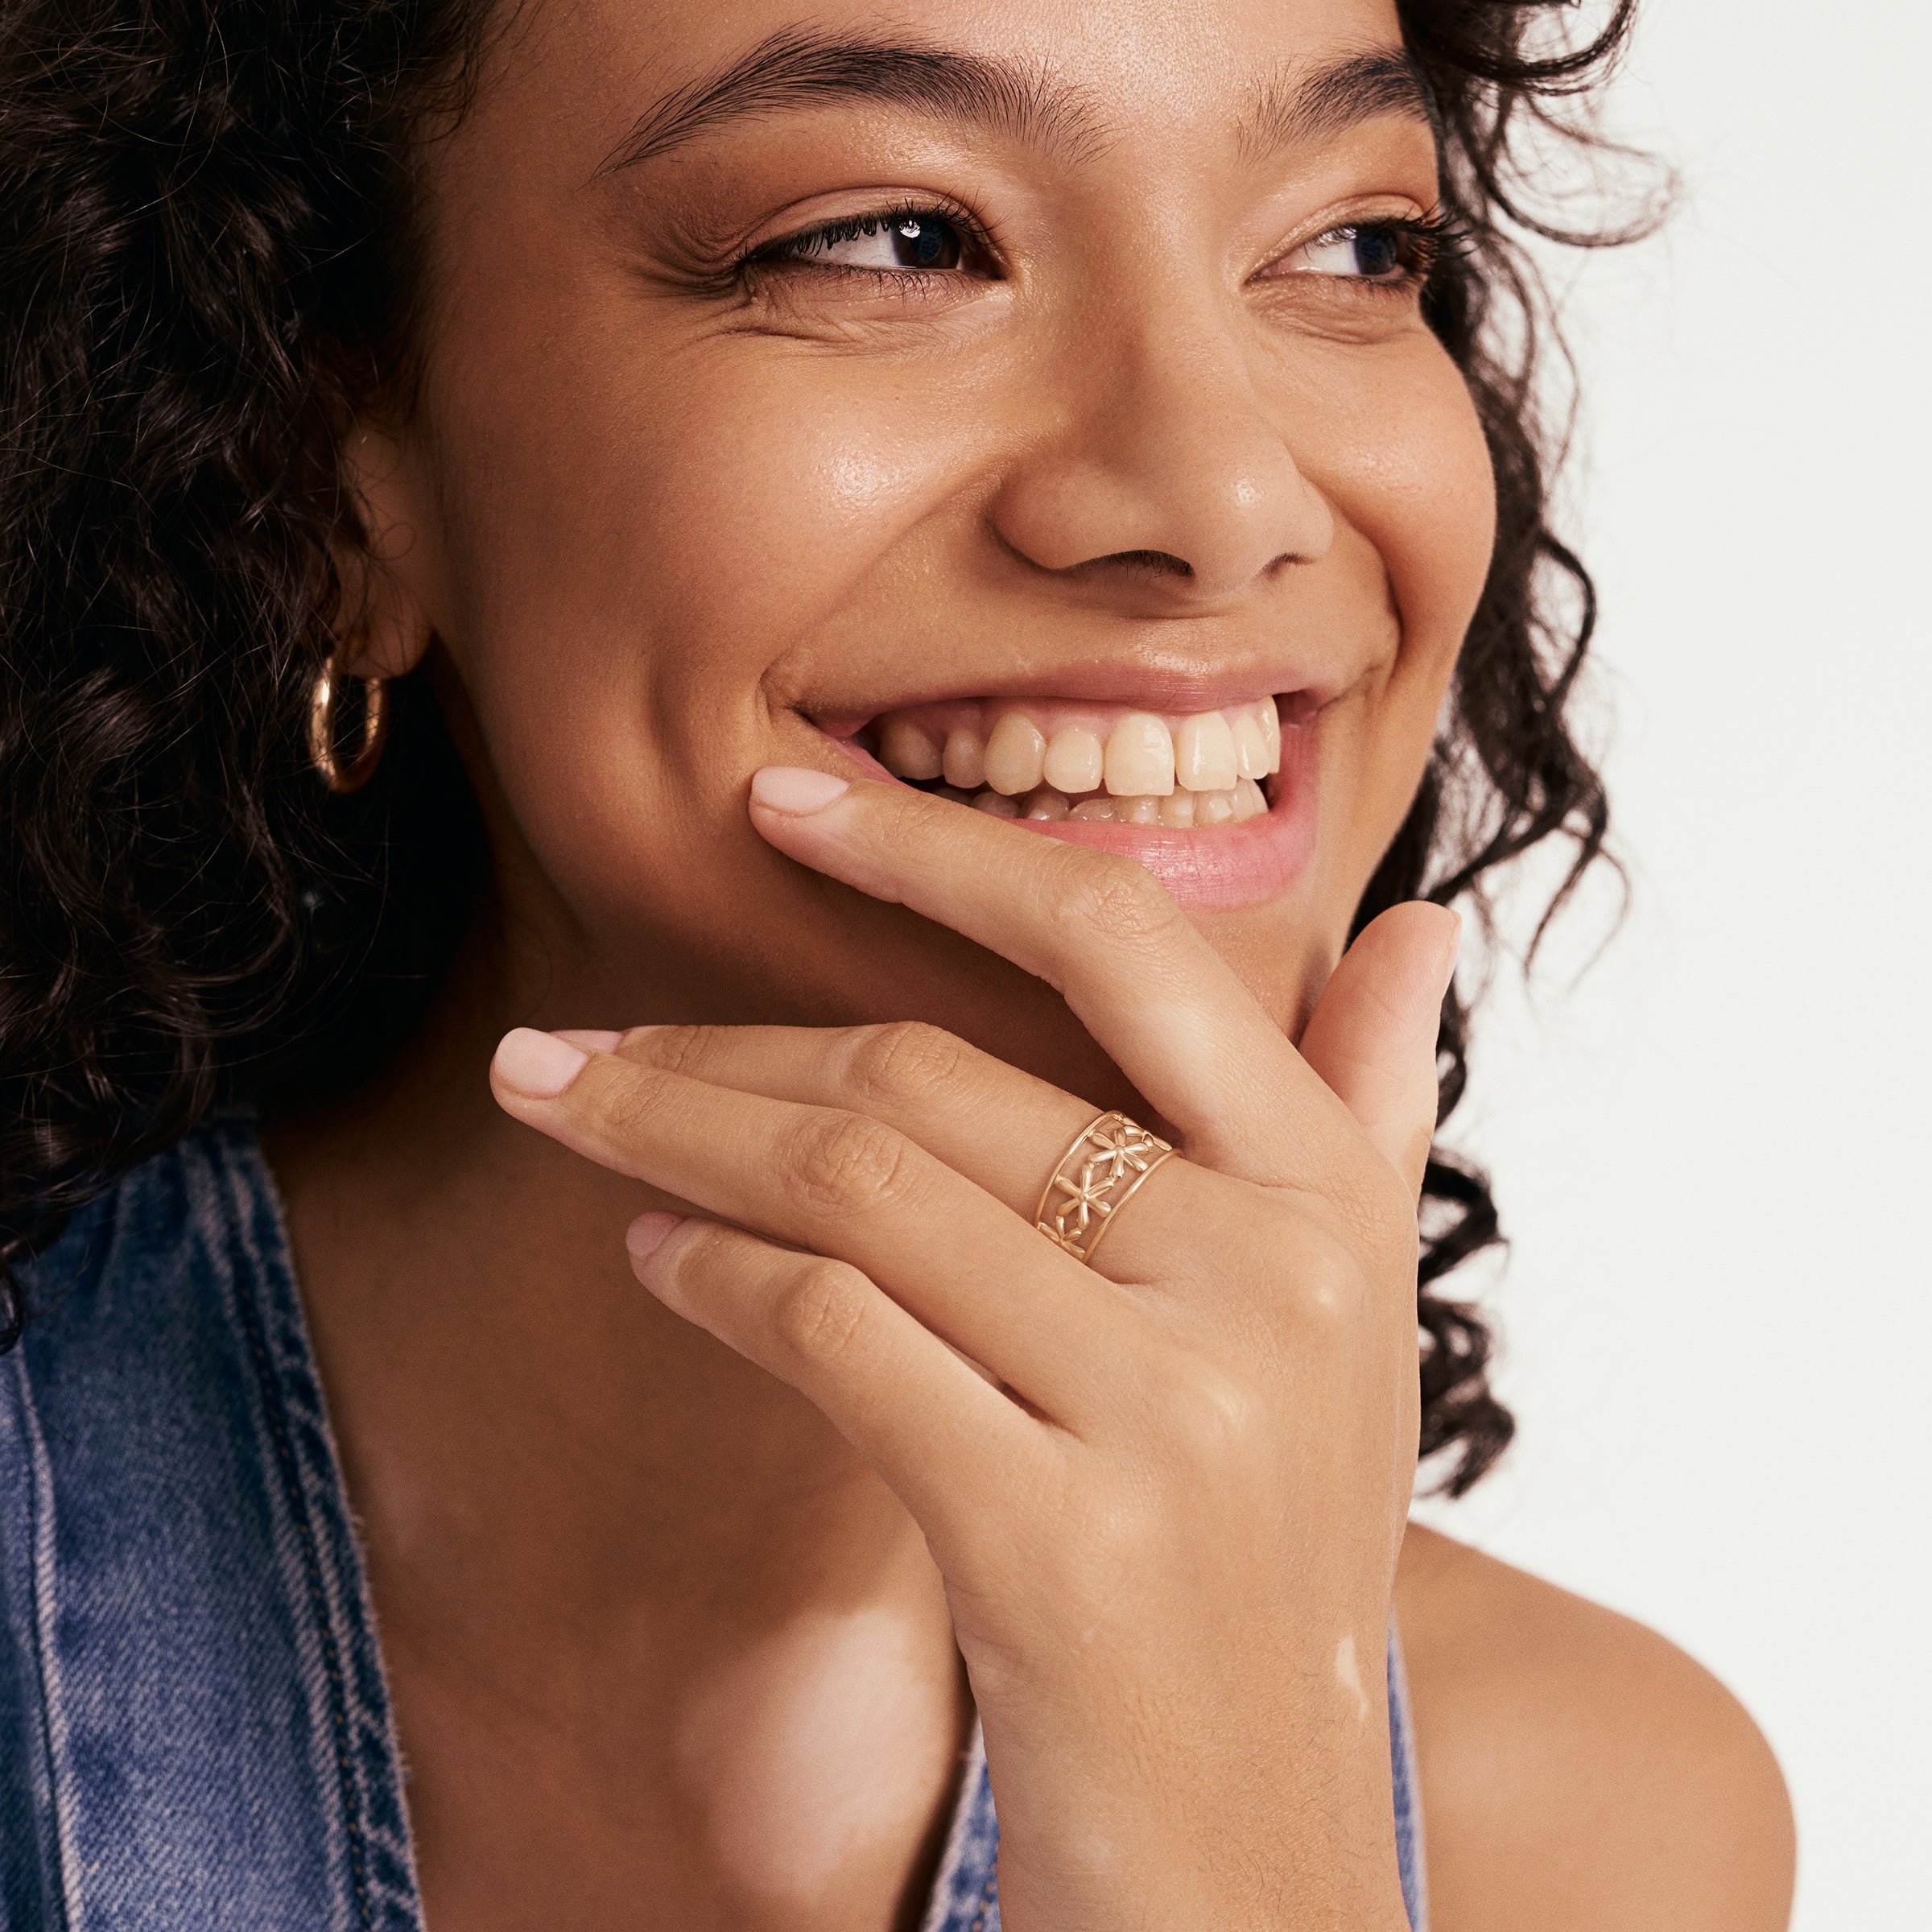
{"type": "Point", "coordinates": [1579, 1773]}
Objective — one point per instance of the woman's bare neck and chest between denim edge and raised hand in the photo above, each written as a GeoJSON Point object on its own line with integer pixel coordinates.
{"type": "Point", "coordinates": [635, 1595]}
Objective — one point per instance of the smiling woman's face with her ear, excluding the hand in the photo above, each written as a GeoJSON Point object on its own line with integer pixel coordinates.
{"type": "Point", "coordinates": [1038, 387]}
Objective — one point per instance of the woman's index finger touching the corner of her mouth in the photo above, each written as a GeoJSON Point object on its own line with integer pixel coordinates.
{"type": "Point", "coordinates": [1100, 930]}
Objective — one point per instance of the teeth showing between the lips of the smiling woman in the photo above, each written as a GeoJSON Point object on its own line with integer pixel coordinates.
{"type": "Point", "coordinates": [1065, 762]}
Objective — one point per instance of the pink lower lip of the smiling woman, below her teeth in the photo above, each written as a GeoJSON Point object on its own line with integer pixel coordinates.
{"type": "Point", "coordinates": [1216, 868]}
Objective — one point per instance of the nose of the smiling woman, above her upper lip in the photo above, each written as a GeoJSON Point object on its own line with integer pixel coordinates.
{"type": "Point", "coordinates": [1168, 465]}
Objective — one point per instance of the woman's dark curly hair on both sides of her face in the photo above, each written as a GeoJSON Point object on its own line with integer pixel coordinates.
{"type": "Point", "coordinates": [206, 258]}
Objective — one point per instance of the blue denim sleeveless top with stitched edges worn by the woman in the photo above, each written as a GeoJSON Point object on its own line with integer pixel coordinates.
{"type": "Point", "coordinates": [194, 1724]}
